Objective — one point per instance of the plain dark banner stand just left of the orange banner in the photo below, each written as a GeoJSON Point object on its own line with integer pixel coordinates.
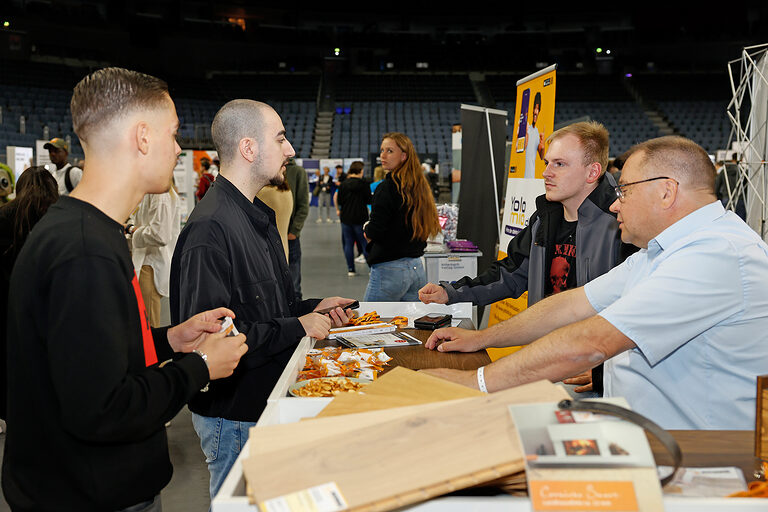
{"type": "Point", "coordinates": [477, 207]}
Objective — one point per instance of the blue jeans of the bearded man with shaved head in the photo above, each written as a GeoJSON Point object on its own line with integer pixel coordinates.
{"type": "Point", "coordinates": [221, 441]}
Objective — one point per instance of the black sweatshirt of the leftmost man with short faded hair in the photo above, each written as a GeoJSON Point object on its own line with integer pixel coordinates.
{"type": "Point", "coordinates": [85, 415]}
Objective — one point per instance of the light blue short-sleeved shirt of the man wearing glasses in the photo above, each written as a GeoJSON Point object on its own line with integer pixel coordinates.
{"type": "Point", "coordinates": [695, 303]}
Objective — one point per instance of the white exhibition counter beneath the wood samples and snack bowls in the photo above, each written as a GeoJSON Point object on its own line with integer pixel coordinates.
{"type": "Point", "coordinates": [282, 408]}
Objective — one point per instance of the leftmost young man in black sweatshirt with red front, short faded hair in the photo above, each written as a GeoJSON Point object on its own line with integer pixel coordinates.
{"type": "Point", "coordinates": [90, 384]}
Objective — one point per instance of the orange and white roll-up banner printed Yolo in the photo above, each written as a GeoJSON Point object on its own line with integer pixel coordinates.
{"type": "Point", "coordinates": [535, 120]}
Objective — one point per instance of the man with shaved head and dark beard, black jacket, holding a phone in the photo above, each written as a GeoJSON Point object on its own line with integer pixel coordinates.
{"type": "Point", "coordinates": [230, 253]}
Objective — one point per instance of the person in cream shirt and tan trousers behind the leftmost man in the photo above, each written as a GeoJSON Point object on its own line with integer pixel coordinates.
{"type": "Point", "coordinates": [153, 238]}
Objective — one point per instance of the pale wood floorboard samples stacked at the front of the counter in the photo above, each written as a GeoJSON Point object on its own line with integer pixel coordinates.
{"type": "Point", "coordinates": [404, 460]}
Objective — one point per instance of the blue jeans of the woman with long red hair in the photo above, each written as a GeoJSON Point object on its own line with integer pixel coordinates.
{"type": "Point", "coordinates": [396, 281]}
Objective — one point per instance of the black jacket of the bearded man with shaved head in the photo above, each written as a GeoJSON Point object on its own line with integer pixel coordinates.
{"type": "Point", "coordinates": [230, 254]}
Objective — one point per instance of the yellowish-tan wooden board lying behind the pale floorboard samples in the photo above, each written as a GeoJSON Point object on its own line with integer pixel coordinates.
{"type": "Point", "coordinates": [398, 388]}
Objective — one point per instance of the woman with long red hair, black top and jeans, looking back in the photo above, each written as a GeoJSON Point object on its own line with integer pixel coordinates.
{"type": "Point", "coordinates": [403, 217]}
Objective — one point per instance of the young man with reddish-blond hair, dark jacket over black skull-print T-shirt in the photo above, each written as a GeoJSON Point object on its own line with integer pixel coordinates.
{"type": "Point", "coordinates": [572, 237]}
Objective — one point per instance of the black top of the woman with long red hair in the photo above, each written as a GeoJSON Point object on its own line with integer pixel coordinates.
{"type": "Point", "coordinates": [389, 228]}
